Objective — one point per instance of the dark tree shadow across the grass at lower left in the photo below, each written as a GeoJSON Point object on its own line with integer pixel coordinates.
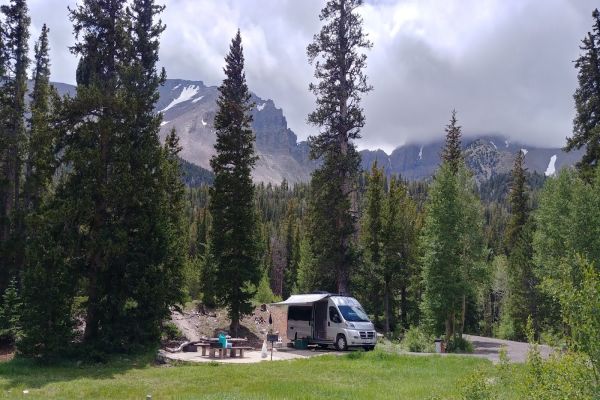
{"type": "Point", "coordinates": [33, 374]}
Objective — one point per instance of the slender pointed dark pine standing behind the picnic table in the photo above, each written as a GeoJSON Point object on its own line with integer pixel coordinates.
{"type": "Point", "coordinates": [234, 230]}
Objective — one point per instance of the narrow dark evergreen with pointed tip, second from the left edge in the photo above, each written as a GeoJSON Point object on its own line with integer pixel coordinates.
{"type": "Point", "coordinates": [48, 282]}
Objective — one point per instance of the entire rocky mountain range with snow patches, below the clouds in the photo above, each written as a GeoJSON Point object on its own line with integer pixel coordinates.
{"type": "Point", "coordinates": [190, 107]}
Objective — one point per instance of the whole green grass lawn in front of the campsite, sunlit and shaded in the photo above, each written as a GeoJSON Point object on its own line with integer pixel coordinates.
{"type": "Point", "coordinates": [375, 375]}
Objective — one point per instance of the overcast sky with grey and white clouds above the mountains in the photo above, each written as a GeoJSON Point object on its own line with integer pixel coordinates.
{"type": "Point", "coordinates": [505, 65]}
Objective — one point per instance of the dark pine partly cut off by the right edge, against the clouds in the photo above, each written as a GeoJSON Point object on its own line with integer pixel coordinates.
{"type": "Point", "coordinates": [586, 125]}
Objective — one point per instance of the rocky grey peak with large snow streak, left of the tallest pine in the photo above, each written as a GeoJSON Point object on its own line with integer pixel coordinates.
{"type": "Point", "coordinates": [190, 107]}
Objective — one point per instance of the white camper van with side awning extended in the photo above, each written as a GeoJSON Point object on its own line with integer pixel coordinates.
{"type": "Point", "coordinates": [329, 319]}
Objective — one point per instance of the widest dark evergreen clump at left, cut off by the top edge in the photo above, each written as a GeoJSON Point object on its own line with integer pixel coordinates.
{"type": "Point", "coordinates": [123, 190]}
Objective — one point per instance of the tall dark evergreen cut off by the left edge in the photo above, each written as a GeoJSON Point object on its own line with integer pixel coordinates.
{"type": "Point", "coordinates": [15, 34]}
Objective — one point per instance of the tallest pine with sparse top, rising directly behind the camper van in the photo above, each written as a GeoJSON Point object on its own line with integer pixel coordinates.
{"type": "Point", "coordinates": [341, 81]}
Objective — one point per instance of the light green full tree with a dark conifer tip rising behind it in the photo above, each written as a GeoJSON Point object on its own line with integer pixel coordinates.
{"type": "Point", "coordinates": [452, 249]}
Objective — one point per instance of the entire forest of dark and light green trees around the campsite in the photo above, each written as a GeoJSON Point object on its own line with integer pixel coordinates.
{"type": "Point", "coordinates": [103, 228]}
